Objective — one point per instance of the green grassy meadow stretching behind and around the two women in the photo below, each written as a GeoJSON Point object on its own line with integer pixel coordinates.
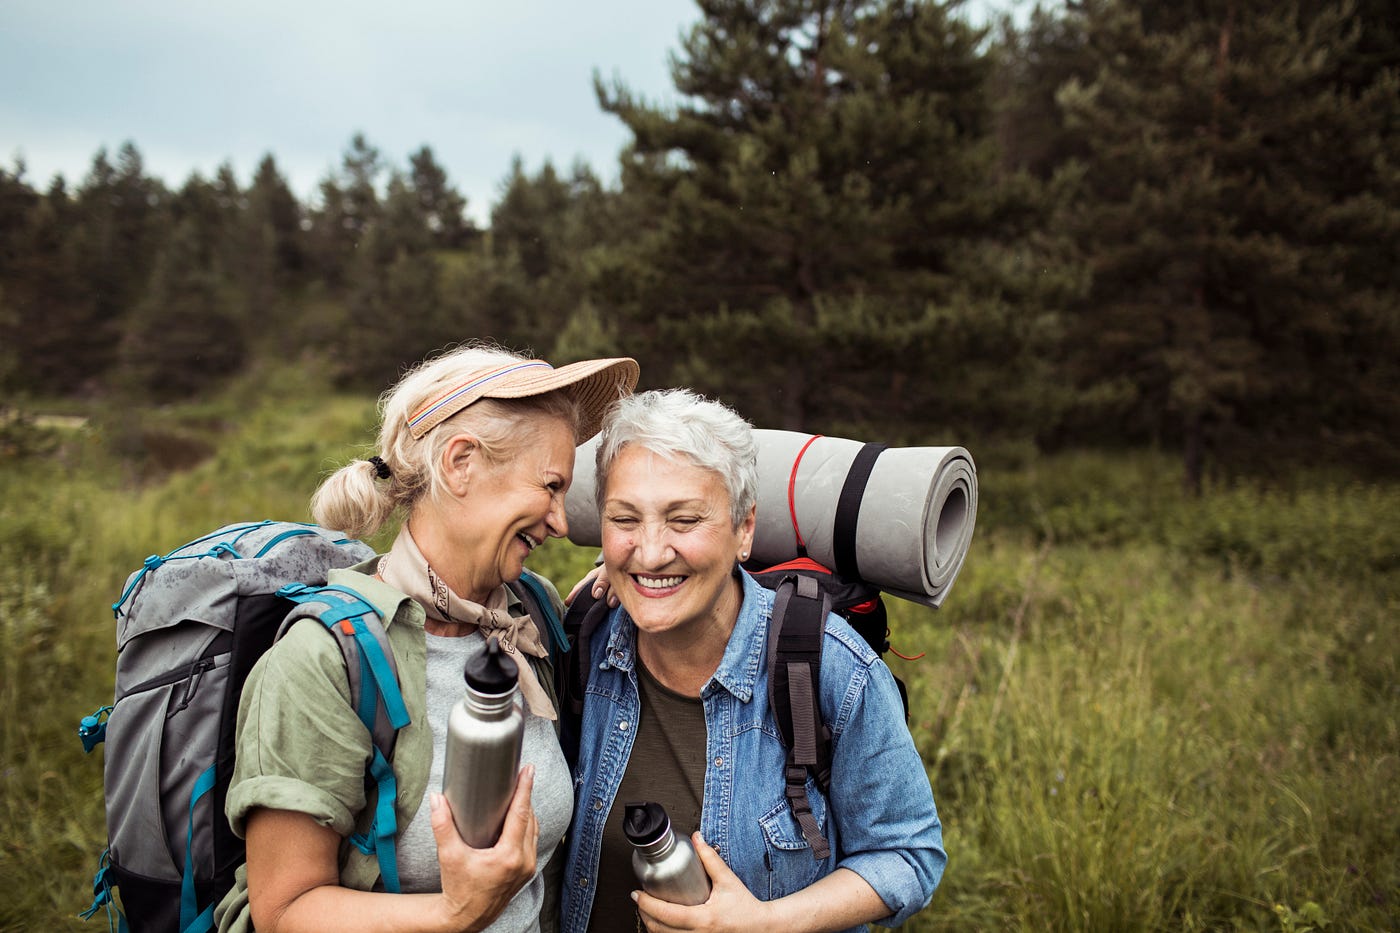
{"type": "Point", "coordinates": [1139, 712]}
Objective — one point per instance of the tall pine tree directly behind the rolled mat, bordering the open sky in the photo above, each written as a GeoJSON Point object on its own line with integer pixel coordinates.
{"type": "Point", "coordinates": [818, 204]}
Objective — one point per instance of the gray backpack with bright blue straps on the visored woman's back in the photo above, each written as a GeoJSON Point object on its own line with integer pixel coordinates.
{"type": "Point", "coordinates": [191, 626]}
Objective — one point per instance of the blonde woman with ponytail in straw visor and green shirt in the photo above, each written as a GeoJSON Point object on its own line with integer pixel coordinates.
{"type": "Point", "coordinates": [475, 452]}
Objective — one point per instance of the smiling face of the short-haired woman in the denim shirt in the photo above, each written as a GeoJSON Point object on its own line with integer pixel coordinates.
{"type": "Point", "coordinates": [670, 546]}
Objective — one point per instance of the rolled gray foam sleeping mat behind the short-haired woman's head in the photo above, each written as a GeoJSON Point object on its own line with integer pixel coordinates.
{"type": "Point", "coordinates": [898, 518]}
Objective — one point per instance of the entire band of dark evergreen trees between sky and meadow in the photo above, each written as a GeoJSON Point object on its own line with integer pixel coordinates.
{"type": "Point", "coordinates": [1121, 222]}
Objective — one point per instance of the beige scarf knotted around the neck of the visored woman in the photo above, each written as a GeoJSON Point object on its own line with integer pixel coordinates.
{"type": "Point", "coordinates": [408, 571]}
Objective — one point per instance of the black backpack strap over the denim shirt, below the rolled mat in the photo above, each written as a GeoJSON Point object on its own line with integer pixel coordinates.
{"type": "Point", "coordinates": [800, 613]}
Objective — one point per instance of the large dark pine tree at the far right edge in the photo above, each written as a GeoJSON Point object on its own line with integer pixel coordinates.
{"type": "Point", "coordinates": [1233, 205]}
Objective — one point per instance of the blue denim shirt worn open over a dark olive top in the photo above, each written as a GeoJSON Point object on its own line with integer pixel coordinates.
{"type": "Point", "coordinates": [880, 817]}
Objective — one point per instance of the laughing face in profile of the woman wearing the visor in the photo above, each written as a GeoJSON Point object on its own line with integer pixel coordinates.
{"type": "Point", "coordinates": [509, 509]}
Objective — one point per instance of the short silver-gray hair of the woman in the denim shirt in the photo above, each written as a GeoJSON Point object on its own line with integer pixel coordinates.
{"type": "Point", "coordinates": [681, 425]}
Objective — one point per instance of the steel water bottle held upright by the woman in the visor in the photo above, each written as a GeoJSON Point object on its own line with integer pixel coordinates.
{"type": "Point", "coordinates": [484, 747]}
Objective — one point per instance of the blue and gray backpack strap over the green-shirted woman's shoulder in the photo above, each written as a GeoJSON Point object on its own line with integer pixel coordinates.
{"type": "Point", "coordinates": [374, 690]}
